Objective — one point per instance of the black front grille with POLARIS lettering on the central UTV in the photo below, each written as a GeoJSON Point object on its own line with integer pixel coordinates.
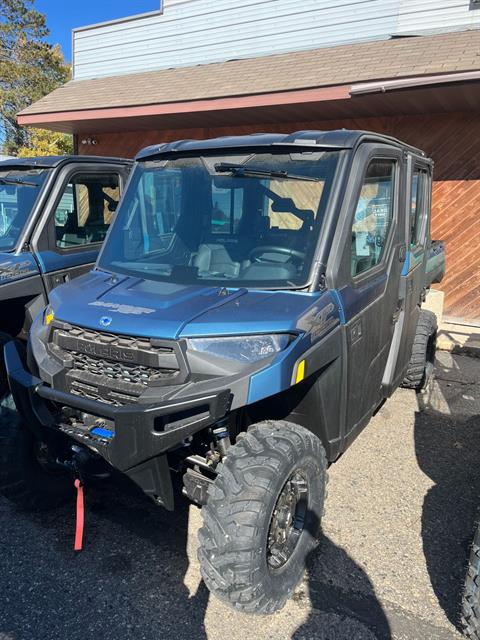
{"type": "Point", "coordinates": [112, 368]}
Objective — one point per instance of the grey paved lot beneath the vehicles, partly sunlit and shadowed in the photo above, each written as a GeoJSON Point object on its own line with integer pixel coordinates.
{"type": "Point", "coordinates": [400, 511]}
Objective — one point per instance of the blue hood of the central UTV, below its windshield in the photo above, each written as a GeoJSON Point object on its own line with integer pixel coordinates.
{"type": "Point", "coordinates": [132, 306]}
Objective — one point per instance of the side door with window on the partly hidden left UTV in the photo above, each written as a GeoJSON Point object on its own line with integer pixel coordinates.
{"type": "Point", "coordinates": [76, 221]}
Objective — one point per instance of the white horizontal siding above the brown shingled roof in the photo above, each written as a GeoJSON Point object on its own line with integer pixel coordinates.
{"type": "Point", "coordinates": [204, 31]}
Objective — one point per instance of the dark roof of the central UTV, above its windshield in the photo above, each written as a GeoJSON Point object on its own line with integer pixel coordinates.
{"type": "Point", "coordinates": [337, 139]}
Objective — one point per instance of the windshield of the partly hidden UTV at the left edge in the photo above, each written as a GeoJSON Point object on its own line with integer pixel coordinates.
{"type": "Point", "coordinates": [18, 192]}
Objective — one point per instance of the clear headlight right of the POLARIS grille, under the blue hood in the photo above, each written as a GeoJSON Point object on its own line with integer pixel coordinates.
{"type": "Point", "coordinates": [242, 348]}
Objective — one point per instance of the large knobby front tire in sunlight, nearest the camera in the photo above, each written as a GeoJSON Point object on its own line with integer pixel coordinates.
{"type": "Point", "coordinates": [246, 514]}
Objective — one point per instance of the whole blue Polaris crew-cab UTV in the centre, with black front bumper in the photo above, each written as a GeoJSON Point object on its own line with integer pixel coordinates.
{"type": "Point", "coordinates": [255, 302]}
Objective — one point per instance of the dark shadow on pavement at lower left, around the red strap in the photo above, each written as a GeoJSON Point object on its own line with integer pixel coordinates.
{"type": "Point", "coordinates": [128, 583]}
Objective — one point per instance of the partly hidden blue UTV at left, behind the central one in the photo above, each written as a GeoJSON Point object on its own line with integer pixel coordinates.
{"type": "Point", "coordinates": [54, 213]}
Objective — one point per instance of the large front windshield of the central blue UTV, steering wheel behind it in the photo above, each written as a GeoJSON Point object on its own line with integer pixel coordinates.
{"type": "Point", "coordinates": [243, 220]}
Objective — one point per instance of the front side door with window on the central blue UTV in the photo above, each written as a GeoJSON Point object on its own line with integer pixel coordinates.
{"type": "Point", "coordinates": [368, 254]}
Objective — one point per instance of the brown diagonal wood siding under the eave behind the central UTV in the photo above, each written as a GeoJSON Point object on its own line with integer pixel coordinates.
{"type": "Point", "coordinates": [452, 140]}
